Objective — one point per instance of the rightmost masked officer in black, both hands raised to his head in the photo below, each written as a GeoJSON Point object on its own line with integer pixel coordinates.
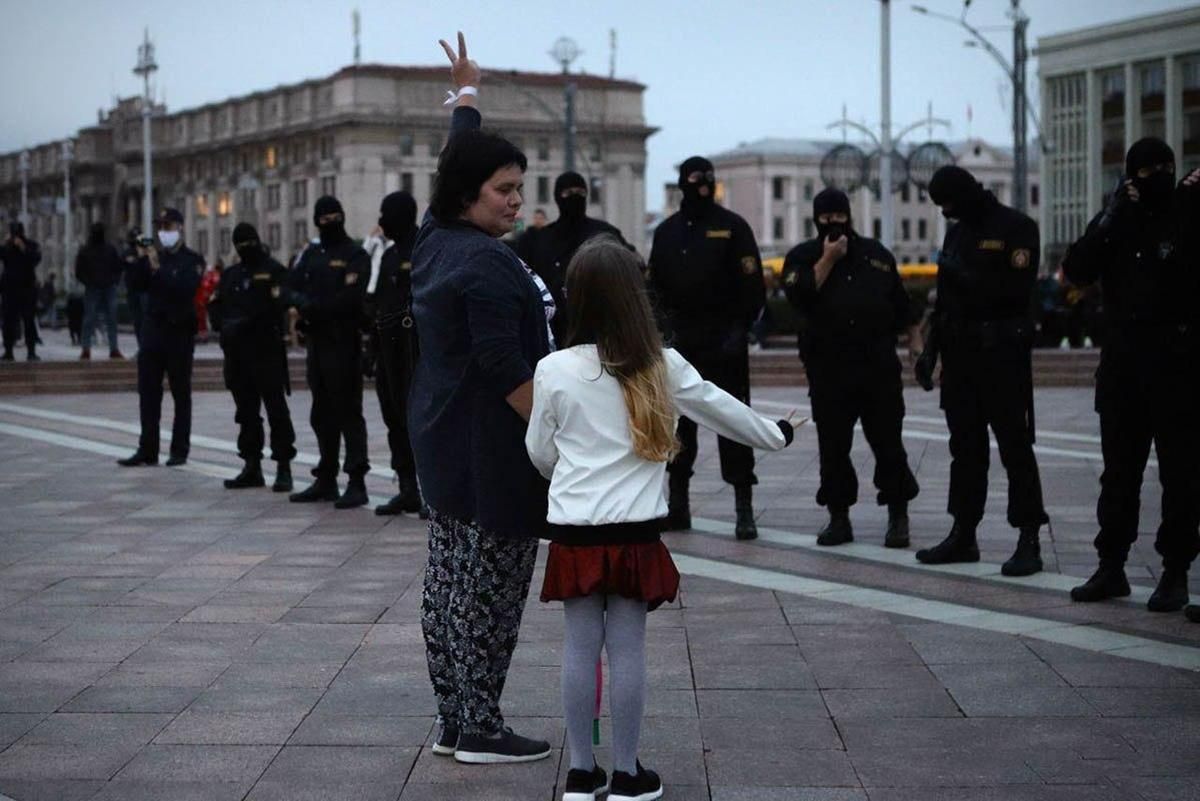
{"type": "Point", "coordinates": [1143, 251]}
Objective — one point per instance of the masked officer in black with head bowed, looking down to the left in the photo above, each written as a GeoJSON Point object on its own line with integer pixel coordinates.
{"type": "Point", "coordinates": [985, 335]}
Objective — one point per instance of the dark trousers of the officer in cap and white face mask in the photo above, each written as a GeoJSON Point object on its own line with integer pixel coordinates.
{"type": "Point", "coordinates": [166, 354]}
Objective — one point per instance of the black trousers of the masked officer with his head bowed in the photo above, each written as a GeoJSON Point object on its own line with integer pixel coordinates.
{"type": "Point", "coordinates": [991, 388]}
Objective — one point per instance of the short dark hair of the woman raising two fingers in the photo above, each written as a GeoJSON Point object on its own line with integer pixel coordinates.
{"type": "Point", "coordinates": [469, 160]}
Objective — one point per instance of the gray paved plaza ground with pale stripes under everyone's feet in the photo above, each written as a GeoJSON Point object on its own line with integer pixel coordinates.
{"type": "Point", "coordinates": [166, 640]}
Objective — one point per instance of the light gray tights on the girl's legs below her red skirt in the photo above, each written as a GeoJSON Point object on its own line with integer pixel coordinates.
{"type": "Point", "coordinates": [621, 631]}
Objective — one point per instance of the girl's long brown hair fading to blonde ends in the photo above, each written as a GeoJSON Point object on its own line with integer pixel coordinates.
{"type": "Point", "coordinates": [608, 306]}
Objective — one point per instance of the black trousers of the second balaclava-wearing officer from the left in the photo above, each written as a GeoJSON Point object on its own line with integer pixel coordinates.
{"type": "Point", "coordinates": [335, 380]}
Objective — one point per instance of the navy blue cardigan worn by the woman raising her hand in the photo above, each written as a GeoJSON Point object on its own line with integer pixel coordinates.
{"type": "Point", "coordinates": [483, 332]}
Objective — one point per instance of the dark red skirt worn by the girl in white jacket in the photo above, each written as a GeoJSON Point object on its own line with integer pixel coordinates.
{"type": "Point", "coordinates": [640, 571]}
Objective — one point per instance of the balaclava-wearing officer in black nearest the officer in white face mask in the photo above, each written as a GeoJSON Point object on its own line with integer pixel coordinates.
{"type": "Point", "coordinates": [248, 311]}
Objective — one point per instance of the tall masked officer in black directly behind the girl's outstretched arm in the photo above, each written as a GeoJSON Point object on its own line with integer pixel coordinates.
{"type": "Point", "coordinates": [706, 278]}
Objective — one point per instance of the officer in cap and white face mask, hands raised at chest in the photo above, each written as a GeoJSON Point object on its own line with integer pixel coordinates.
{"type": "Point", "coordinates": [169, 274]}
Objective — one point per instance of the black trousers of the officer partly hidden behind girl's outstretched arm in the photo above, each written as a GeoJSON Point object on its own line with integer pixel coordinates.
{"type": "Point", "coordinates": [731, 372]}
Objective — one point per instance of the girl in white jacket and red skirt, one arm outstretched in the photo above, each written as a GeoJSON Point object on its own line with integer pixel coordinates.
{"type": "Point", "coordinates": [605, 412]}
